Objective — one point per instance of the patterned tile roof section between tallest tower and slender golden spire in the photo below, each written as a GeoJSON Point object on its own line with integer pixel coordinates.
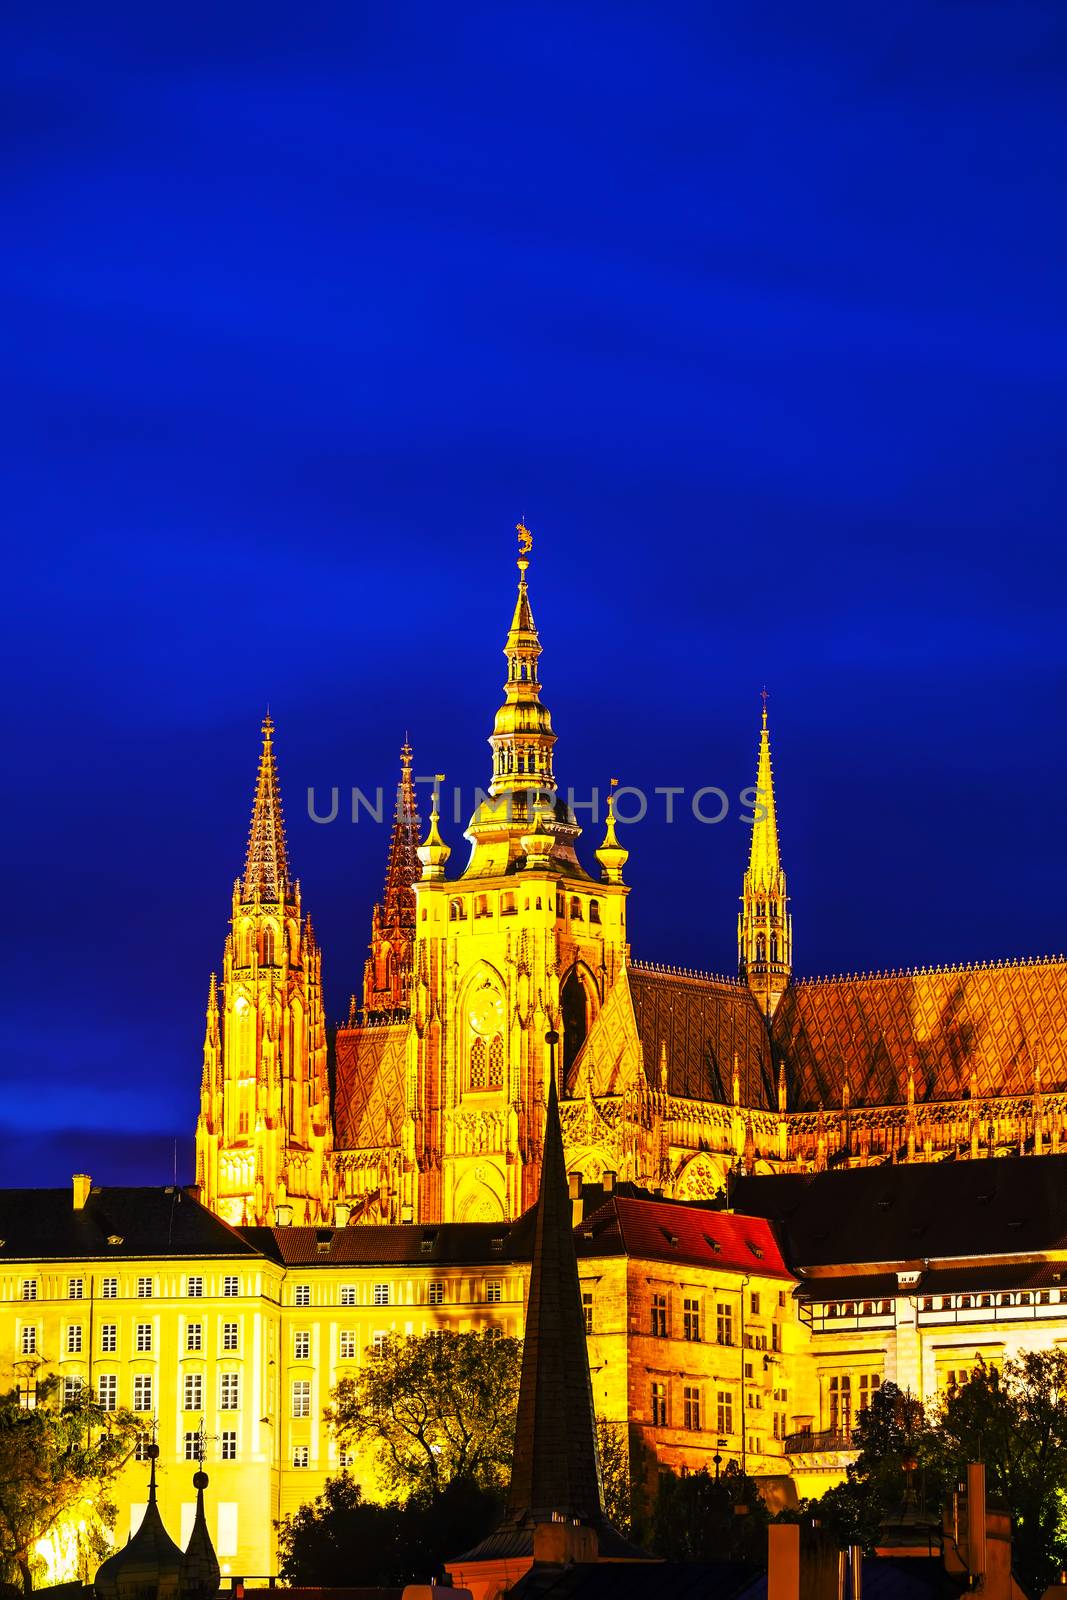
{"type": "Point", "coordinates": [703, 1022]}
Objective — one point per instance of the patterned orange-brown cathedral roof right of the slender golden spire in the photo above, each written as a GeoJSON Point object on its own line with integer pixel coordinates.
{"type": "Point", "coordinates": [986, 1026]}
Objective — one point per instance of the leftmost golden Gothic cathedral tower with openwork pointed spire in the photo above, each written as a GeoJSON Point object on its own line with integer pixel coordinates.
{"type": "Point", "coordinates": [265, 1134]}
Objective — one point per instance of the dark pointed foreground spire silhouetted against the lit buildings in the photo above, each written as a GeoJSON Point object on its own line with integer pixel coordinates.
{"type": "Point", "coordinates": [556, 1470]}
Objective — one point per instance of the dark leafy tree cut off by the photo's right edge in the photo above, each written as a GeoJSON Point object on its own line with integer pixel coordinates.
{"type": "Point", "coordinates": [1015, 1420]}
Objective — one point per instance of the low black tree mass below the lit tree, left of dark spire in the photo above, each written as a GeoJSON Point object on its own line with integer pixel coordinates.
{"type": "Point", "coordinates": [343, 1540]}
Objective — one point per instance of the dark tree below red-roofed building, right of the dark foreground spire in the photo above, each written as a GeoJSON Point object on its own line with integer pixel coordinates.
{"type": "Point", "coordinates": [705, 1519]}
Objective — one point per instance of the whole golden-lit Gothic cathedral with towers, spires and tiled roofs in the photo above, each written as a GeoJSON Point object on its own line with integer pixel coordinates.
{"type": "Point", "coordinates": [484, 982]}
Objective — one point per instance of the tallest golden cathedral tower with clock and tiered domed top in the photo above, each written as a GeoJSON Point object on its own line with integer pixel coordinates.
{"type": "Point", "coordinates": [521, 943]}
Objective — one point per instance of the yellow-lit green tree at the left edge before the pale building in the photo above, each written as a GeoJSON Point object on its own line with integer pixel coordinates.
{"type": "Point", "coordinates": [55, 1458]}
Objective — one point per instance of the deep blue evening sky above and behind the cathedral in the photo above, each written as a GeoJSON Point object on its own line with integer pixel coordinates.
{"type": "Point", "coordinates": [754, 311]}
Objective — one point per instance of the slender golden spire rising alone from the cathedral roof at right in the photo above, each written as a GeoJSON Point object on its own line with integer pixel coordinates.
{"type": "Point", "coordinates": [765, 929]}
